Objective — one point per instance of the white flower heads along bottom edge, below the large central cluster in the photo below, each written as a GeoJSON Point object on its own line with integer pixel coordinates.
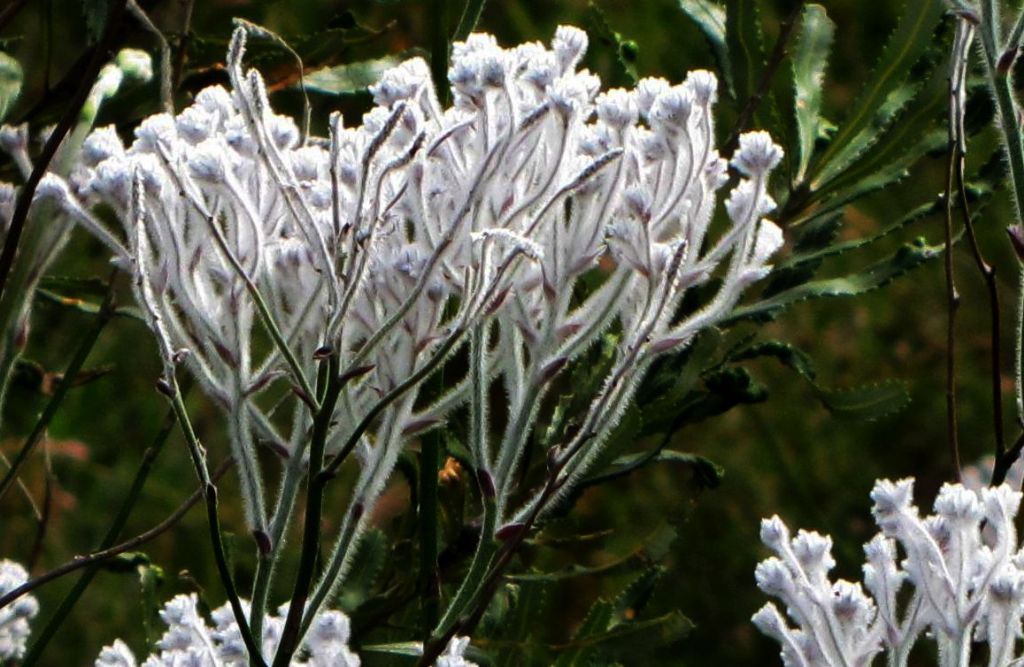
{"type": "Point", "coordinates": [189, 641]}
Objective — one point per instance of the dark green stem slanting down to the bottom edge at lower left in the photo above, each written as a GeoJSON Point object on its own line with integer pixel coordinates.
{"type": "Point", "coordinates": [129, 505]}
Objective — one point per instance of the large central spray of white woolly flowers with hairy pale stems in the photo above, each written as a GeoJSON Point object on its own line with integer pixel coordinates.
{"type": "Point", "coordinates": [392, 244]}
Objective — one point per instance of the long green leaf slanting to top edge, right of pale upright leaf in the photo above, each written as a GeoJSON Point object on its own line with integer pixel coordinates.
{"type": "Point", "coordinates": [886, 94]}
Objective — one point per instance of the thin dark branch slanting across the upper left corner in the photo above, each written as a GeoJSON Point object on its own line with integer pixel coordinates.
{"type": "Point", "coordinates": [100, 56]}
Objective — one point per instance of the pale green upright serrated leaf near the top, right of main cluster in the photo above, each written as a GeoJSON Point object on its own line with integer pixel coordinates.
{"type": "Point", "coordinates": [809, 60]}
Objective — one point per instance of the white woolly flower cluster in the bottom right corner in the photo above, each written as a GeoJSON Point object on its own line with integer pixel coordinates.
{"type": "Point", "coordinates": [963, 563]}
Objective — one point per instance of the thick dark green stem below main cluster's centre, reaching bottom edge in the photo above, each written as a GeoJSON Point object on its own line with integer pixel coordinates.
{"type": "Point", "coordinates": [315, 506]}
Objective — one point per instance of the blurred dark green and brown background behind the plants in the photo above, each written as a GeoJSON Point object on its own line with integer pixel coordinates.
{"type": "Point", "coordinates": [788, 455]}
